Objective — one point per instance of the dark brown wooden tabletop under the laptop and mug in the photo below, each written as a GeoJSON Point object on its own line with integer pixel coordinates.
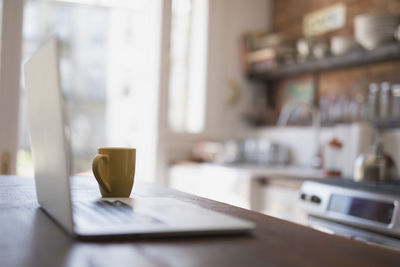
{"type": "Point", "coordinates": [29, 238]}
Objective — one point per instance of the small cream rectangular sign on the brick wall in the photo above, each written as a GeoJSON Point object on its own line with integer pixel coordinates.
{"type": "Point", "coordinates": [324, 20]}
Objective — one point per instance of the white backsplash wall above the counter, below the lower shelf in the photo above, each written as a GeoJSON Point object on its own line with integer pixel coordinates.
{"type": "Point", "coordinates": [356, 139]}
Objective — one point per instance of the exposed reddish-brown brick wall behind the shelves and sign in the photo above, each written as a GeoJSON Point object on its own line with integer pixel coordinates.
{"type": "Point", "coordinates": [288, 15]}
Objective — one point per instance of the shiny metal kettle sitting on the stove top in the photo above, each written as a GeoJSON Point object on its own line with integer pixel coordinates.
{"type": "Point", "coordinates": [375, 165]}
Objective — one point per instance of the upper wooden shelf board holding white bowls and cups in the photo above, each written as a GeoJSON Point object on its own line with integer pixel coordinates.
{"type": "Point", "coordinates": [388, 52]}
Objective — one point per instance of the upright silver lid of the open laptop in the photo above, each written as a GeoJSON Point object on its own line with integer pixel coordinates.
{"type": "Point", "coordinates": [47, 129]}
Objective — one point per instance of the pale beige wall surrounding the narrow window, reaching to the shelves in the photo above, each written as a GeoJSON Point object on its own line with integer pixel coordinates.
{"type": "Point", "coordinates": [228, 21]}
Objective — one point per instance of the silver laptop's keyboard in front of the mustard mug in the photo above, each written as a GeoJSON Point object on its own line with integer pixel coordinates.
{"type": "Point", "coordinates": [105, 212]}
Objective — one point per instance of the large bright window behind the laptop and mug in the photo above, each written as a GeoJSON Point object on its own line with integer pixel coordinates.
{"type": "Point", "coordinates": [107, 65]}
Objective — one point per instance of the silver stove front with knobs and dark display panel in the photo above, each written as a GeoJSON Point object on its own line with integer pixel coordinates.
{"type": "Point", "coordinates": [364, 211]}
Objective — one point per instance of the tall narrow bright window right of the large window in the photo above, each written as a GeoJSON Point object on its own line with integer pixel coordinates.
{"type": "Point", "coordinates": [188, 58]}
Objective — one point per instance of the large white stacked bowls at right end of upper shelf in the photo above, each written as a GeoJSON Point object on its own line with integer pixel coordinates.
{"type": "Point", "coordinates": [373, 30]}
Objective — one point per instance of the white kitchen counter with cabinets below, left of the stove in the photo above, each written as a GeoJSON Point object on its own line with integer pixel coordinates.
{"type": "Point", "coordinates": [271, 190]}
